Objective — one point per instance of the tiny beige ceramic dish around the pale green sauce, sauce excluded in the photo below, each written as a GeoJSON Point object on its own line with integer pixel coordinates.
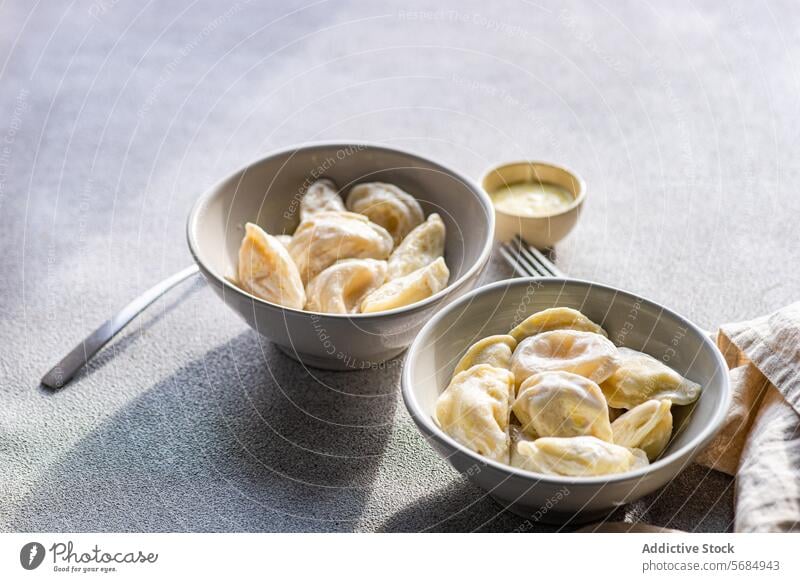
{"type": "Point", "coordinates": [540, 231]}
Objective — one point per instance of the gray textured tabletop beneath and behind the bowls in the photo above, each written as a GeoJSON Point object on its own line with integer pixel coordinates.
{"type": "Point", "coordinates": [114, 116]}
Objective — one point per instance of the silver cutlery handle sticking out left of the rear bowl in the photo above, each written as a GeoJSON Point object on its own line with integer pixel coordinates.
{"type": "Point", "coordinates": [60, 374]}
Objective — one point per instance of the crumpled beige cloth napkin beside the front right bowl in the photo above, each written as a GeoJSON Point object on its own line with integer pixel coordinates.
{"type": "Point", "coordinates": [760, 441]}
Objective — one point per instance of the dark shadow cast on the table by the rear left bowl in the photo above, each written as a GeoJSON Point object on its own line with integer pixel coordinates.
{"type": "Point", "coordinates": [243, 439]}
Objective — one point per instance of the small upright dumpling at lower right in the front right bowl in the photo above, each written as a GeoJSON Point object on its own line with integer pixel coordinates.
{"type": "Point", "coordinates": [647, 427]}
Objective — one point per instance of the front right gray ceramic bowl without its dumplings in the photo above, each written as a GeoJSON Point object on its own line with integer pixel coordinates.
{"type": "Point", "coordinates": [630, 321]}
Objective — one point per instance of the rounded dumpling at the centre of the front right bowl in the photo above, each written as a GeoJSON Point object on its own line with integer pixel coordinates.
{"type": "Point", "coordinates": [561, 404]}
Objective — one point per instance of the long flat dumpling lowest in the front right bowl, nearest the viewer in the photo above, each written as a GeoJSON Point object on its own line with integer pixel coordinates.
{"type": "Point", "coordinates": [583, 456]}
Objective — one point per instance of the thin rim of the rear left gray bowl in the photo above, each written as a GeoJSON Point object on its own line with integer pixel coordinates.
{"type": "Point", "coordinates": [477, 189]}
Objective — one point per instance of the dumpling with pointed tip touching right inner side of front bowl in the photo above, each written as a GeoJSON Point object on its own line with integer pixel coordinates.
{"type": "Point", "coordinates": [641, 377]}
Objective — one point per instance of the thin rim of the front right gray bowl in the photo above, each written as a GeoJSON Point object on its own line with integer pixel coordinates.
{"type": "Point", "coordinates": [425, 421]}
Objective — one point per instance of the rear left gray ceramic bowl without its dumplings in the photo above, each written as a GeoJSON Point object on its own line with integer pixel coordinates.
{"type": "Point", "coordinates": [268, 191]}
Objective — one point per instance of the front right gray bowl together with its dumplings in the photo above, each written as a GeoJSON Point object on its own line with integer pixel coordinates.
{"type": "Point", "coordinates": [564, 399]}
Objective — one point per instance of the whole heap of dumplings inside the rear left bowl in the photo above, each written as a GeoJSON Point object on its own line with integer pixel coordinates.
{"type": "Point", "coordinates": [343, 262]}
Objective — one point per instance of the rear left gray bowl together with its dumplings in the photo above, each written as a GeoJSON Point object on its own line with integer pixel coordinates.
{"type": "Point", "coordinates": [339, 253]}
